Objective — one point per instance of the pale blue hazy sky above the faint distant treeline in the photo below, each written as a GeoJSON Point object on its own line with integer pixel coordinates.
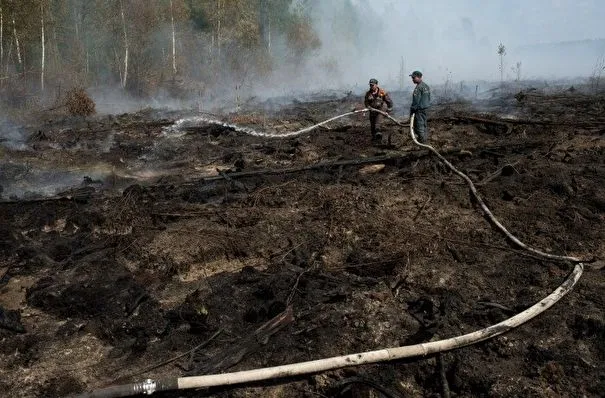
{"type": "Point", "coordinates": [516, 22]}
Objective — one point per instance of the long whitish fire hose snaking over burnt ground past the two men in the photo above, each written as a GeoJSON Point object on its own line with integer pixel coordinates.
{"type": "Point", "coordinates": [149, 386]}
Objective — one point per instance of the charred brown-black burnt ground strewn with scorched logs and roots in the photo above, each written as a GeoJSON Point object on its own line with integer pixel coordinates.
{"type": "Point", "coordinates": [165, 239]}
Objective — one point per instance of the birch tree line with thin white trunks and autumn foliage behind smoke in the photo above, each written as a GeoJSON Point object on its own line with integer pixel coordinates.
{"type": "Point", "coordinates": [143, 46]}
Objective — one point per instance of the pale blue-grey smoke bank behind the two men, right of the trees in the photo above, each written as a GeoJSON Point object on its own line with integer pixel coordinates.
{"type": "Point", "coordinates": [452, 43]}
